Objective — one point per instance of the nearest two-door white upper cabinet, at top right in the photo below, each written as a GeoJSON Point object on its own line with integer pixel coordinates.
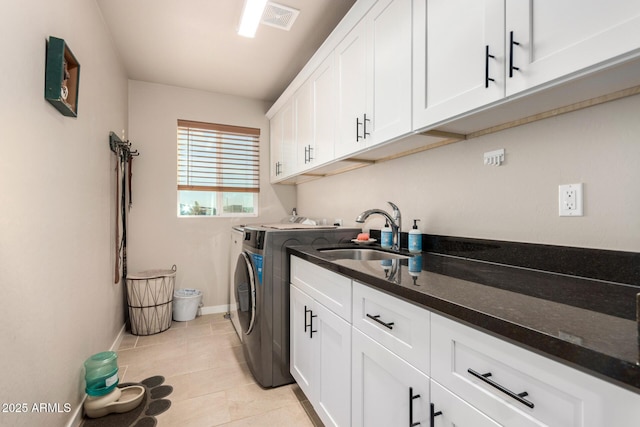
{"type": "Point", "coordinates": [472, 53]}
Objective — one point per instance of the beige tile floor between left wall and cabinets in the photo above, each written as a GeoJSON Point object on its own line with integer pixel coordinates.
{"type": "Point", "coordinates": [212, 386]}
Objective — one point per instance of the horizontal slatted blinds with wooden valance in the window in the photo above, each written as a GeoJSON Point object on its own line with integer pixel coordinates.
{"type": "Point", "coordinates": [213, 157]}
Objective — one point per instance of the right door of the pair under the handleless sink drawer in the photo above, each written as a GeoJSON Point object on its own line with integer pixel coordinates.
{"type": "Point", "coordinates": [332, 367]}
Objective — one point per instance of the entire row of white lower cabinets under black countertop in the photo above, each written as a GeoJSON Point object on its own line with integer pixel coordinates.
{"type": "Point", "coordinates": [397, 364]}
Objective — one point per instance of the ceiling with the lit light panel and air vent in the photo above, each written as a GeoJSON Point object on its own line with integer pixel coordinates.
{"type": "Point", "coordinates": [193, 43]}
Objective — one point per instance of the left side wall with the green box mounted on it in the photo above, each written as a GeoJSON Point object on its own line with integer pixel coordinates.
{"type": "Point", "coordinates": [59, 301]}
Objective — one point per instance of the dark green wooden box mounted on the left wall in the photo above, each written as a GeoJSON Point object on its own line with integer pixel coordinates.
{"type": "Point", "coordinates": [62, 76]}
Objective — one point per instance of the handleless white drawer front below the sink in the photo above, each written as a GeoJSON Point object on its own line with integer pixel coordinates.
{"type": "Point", "coordinates": [328, 288]}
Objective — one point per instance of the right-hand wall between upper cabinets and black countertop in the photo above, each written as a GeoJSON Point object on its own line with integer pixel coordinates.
{"type": "Point", "coordinates": [453, 193]}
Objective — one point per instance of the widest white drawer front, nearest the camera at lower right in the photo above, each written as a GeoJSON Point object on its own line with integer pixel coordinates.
{"type": "Point", "coordinates": [473, 365]}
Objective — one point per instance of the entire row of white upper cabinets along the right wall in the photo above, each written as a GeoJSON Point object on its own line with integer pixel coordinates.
{"type": "Point", "coordinates": [392, 67]}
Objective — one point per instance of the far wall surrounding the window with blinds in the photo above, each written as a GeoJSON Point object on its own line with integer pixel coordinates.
{"type": "Point", "coordinates": [157, 237]}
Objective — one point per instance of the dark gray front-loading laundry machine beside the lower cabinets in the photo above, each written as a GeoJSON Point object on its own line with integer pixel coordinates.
{"type": "Point", "coordinates": [262, 296]}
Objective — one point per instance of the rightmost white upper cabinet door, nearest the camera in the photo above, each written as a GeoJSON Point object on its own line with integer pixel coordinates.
{"type": "Point", "coordinates": [556, 39]}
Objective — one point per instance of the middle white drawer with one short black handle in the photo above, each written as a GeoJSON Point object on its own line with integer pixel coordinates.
{"type": "Point", "coordinates": [400, 326]}
